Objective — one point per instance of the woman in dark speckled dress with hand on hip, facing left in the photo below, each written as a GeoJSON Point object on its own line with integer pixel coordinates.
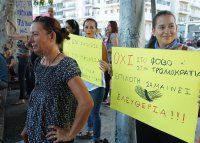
{"type": "Point", "coordinates": [60, 103]}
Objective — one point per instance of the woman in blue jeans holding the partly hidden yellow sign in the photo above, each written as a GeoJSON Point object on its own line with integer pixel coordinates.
{"type": "Point", "coordinates": [97, 92]}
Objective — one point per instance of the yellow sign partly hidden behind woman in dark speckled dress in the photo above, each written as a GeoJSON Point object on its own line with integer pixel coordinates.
{"type": "Point", "coordinates": [87, 52]}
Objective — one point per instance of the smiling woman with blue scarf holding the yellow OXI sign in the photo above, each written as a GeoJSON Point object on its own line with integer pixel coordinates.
{"type": "Point", "coordinates": [165, 31]}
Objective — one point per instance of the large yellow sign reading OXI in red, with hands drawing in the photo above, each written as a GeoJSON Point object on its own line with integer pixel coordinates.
{"type": "Point", "coordinates": [158, 87]}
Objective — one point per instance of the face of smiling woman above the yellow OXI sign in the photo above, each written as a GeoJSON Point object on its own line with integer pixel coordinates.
{"type": "Point", "coordinates": [165, 30]}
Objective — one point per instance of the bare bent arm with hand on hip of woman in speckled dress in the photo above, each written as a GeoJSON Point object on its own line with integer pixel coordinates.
{"type": "Point", "coordinates": [85, 104]}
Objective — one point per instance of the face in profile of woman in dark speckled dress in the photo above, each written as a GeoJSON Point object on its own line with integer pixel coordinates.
{"type": "Point", "coordinates": [40, 39]}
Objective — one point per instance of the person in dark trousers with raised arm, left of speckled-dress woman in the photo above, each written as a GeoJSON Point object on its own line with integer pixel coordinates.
{"type": "Point", "coordinates": [23, 56]}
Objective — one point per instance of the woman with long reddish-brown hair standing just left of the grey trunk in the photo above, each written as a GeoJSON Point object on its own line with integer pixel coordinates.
{"type": "Point", "coordinates": [112, 41]}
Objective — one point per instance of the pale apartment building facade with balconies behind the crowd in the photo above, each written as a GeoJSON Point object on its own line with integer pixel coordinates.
{"type": "Point", "coordinates": [105, 10]}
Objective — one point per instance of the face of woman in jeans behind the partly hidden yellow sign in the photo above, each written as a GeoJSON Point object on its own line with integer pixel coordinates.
{"type": "Point", "coordinates": [90, 29]}
